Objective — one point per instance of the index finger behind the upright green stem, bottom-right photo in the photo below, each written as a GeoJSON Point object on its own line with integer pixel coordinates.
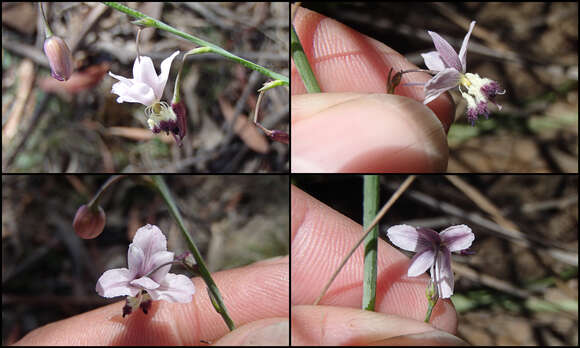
{"type": "Point", "coordinates": [321, 237]}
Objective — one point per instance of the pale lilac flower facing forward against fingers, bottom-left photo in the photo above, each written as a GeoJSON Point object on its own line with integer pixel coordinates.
{"type": "Point", "coordinates": [145, 256]}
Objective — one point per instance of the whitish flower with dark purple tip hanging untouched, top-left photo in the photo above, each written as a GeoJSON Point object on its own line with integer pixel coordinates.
{"type": "Point", "coordinates": [146, 87]}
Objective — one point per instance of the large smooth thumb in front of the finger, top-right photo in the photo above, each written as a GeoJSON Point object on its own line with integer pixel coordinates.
{"type": "Point", "coordinates": [354, 132]}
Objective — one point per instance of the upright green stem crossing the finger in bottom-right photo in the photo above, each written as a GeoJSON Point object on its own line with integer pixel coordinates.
{"type": "Point", "coordinates": [370, 207]}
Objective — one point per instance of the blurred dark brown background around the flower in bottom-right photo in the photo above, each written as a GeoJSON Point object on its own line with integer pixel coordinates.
{"type": "Point", "coordinates": [521, 285]}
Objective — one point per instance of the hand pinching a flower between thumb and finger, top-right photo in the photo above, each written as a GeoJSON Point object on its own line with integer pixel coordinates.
{"type": "Point", "coordinates": [351, 128]}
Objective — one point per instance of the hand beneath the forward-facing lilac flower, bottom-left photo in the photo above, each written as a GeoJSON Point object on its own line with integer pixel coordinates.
{"type": "Point", "coordinates": [256, 297]}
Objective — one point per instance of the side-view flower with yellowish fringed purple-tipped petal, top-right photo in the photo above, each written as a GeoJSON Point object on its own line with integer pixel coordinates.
{"type": "Point", "coordinates": [450, 73]}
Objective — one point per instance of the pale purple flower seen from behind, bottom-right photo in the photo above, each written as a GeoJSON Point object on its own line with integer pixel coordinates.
{"type": "Point", "coordinates": [433, 251]}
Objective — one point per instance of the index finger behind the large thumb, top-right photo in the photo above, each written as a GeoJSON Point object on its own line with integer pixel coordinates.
{"type": "Point", "coordinates": [344, 60]}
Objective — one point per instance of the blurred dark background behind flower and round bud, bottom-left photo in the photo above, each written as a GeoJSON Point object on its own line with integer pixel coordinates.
{"type": "Point", "coordinates": [49, 273]}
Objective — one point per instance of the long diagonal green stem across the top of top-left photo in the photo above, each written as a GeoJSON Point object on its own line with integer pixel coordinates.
{"type": "Point", "coordinates": [147, 21]}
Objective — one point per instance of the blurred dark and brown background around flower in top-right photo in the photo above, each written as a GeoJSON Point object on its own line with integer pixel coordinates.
{"type": "Point", "coordinates": [530, 48]}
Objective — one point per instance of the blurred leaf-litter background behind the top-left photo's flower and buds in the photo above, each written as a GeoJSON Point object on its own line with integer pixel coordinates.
{"type": "Point", "coordinates": [77, 126]}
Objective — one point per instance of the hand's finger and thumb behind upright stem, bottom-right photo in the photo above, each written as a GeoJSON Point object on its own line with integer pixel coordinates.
{"type": "Point", "coordinates": [320, 238]}
